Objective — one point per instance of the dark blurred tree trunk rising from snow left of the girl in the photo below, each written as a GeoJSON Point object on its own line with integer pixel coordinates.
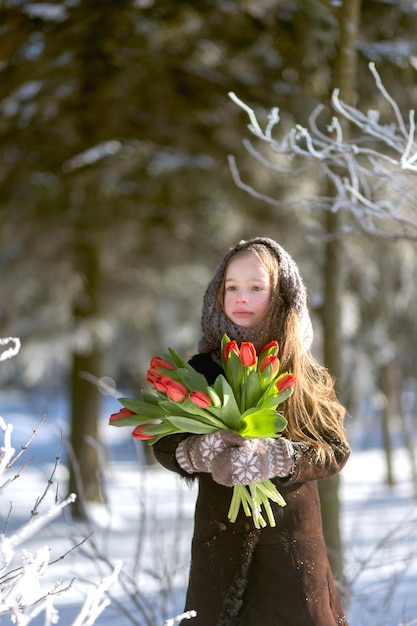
{"type": "Point", "coordinates": [86, 360]}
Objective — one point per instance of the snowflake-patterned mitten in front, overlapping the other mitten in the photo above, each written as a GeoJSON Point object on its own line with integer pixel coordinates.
{"type": "Point", "coordinates": [259, 460]}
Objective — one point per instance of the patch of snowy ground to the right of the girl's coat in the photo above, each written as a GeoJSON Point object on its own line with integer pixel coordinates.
{"type": "Point", "coordinates": [379, 526]}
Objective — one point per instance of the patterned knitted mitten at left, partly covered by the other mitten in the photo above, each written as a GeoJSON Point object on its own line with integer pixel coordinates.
{"type": "Point", "coordinates": [196, 453]}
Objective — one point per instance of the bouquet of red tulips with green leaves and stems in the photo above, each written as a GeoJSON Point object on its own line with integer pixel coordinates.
{"type": "Point", "coordinates": [245, 400]}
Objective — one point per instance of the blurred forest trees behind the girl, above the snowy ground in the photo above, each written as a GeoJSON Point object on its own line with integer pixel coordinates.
{"type": "Point", "coordinates": [117, 198]}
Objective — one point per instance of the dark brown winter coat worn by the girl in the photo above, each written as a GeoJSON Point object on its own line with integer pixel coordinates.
{"type": "Point", "coordinates": [278, 576]}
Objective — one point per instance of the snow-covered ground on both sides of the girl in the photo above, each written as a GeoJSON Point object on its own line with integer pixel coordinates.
{"type": "Point", "coordinates": [148, 523]}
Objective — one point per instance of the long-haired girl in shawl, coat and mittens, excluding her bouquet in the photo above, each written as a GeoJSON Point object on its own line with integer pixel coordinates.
{"type": "Point", "coordinates": [276, 576]}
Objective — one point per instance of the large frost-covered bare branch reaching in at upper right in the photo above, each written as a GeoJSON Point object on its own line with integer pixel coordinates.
{"type": "Point", "coordinates": [373, 176]}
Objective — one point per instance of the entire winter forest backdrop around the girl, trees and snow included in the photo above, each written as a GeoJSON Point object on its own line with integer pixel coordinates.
{"type": "Point", "coordinates": [139, 140]}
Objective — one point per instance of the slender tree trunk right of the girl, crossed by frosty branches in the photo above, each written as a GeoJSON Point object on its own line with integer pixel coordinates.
{"type": "Point", "coordinates": [334, 278]}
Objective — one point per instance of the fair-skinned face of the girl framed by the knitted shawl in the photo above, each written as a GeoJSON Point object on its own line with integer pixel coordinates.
{"type": "Point", "coordinates": [247, 290]}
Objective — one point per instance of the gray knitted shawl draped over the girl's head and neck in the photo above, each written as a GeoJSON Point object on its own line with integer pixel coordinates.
{"type": "Point", "coordinates": [291, 296]}
